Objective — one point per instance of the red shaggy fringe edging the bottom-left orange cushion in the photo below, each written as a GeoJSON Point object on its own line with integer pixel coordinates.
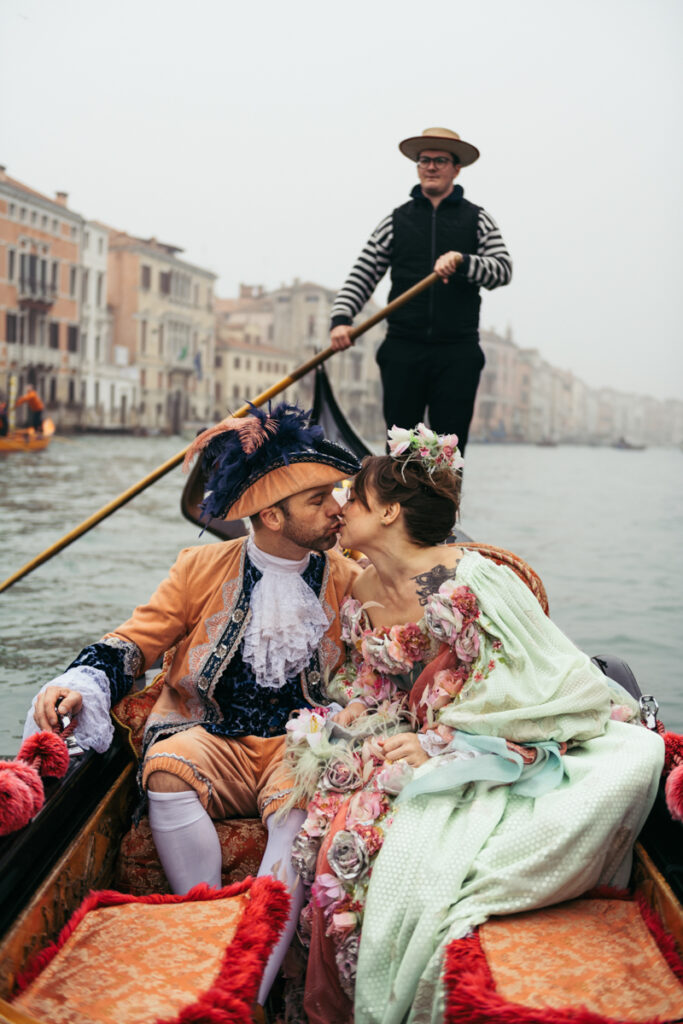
{"type": "Point", "coordinates": [231, 998]}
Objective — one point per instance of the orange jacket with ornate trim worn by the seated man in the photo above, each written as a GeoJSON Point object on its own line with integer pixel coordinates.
{"type": "Point", "coordinates": [197, 618]}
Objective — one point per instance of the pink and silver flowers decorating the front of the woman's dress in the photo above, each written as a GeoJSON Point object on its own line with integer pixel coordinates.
{"type": "Point", "coordinates": [355, 781]}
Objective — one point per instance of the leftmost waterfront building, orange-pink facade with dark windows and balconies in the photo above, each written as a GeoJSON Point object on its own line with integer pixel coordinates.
{"type": "Point", "coordinates": [40, 272]}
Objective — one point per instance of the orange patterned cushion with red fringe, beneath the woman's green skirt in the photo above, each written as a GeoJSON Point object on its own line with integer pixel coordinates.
{"type": "Point", "coordinates": [585, 962]}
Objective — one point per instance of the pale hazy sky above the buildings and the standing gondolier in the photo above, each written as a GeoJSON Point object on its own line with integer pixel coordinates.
{"type": "Point", "coordinates": [263, 139]}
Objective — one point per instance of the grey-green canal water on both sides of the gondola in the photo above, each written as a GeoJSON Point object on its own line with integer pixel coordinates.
{"type": "Point", "coordinates": [603, 528]}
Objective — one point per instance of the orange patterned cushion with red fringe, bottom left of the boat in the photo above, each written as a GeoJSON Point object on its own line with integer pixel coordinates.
{"type": "Point", "coordinates": [126, 960]}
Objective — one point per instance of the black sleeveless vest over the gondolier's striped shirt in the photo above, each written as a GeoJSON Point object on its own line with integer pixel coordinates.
{"type": "Point", "coordinates": [421, 234]}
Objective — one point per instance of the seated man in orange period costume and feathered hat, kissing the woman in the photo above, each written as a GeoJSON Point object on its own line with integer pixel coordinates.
{"type": "Point", "coordinates": [250, 629]}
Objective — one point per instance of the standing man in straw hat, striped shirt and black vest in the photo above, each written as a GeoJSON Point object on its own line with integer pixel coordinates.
{"type": "Point", "coordinates": [431, 359]}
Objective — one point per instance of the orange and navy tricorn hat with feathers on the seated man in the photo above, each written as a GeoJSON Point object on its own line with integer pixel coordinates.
{"type": "Point", "coordinates": [253, 462]}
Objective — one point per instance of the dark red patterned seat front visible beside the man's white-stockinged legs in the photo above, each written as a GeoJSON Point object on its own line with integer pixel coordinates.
{"type": "Point", "coordinates": [139, 870]}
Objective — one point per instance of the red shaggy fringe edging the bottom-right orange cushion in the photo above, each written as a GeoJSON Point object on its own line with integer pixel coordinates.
{"type": "Point", "coordinates": [472, 996]}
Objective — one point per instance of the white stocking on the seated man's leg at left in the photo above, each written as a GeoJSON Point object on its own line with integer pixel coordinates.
{"type": "Point", "coordinates": [186, 839]}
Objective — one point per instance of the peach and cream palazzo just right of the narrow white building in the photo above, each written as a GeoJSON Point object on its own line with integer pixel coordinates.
{"type": "Point", "coordinates": [163, 317]}
